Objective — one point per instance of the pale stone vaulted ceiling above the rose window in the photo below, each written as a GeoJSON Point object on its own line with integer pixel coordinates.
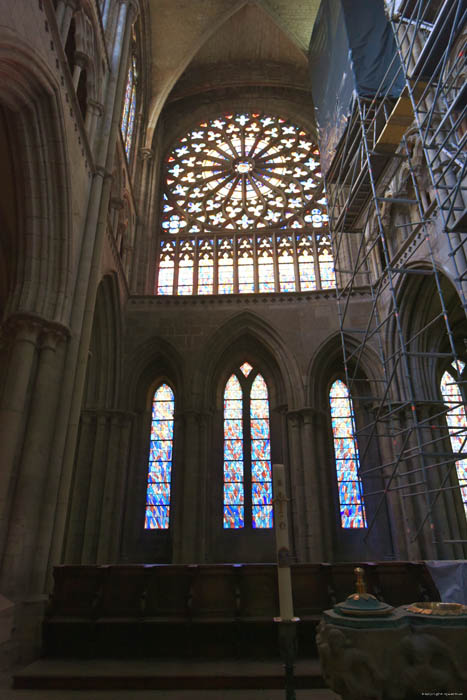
{"type": "Point", "coordinates": [203, 45]}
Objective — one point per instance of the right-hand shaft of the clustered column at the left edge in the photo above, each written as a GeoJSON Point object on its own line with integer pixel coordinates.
{"type": "Point", "coordinates": [32, 474]}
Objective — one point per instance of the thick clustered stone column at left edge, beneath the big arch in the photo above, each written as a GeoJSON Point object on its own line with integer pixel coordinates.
{"type": "Point", "coordinates": [36, 364]}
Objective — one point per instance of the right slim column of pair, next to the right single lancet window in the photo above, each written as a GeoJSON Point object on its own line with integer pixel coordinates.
{"type": "Point", "coordinates": [312, 491]}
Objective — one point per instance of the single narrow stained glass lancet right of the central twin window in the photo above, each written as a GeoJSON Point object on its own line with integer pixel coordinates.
{"type": "Point", "coordinates": [352, 507]}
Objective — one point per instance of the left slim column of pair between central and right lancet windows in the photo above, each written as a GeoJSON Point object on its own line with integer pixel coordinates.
{"type": "Point", "coordinates": [297, 496]}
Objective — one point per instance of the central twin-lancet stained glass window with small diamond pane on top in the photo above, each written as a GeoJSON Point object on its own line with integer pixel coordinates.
{"type": "Point", "coordinates": [247, 452]}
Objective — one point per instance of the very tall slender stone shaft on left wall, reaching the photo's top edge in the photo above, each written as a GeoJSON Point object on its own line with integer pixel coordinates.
{"type": "Point", "coordinates": [88, 277]}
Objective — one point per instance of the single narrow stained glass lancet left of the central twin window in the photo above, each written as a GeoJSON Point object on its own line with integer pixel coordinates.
{"type": "Point", "coordinates": [160, 460]}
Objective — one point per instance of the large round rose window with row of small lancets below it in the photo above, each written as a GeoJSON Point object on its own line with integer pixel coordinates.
{"type": "Point", "coordinates": [251, 184]}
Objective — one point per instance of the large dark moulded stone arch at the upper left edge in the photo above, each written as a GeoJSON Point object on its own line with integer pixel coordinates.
{"type": "Point", "coordinates": [41, 255]}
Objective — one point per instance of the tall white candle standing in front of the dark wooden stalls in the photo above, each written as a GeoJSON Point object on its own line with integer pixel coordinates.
{"type": "Point", "coordinates": [281, 528]}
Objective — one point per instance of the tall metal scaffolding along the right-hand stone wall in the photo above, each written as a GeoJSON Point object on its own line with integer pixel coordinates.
{"type": "Point", "coordinates": [396, 192]}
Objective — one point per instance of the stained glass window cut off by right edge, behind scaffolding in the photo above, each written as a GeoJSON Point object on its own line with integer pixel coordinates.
{"type": "Point", "coordinates": [457, 425]}
